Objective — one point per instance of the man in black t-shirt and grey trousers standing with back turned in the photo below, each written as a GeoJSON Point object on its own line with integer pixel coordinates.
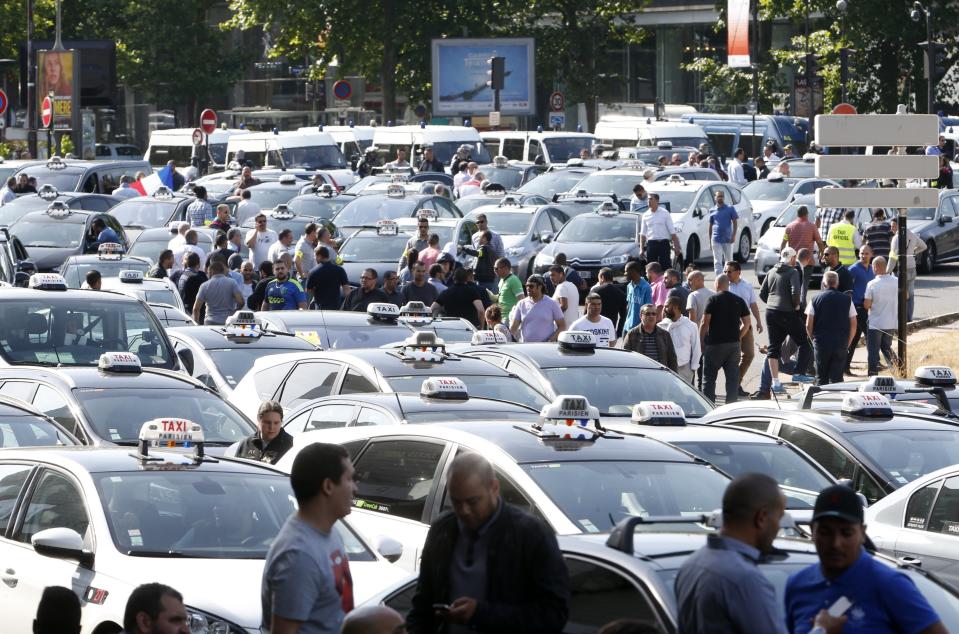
{"type": "Point", "coordinates": [725, 321]}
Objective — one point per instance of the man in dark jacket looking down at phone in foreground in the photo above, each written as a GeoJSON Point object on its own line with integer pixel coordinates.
{"type": "Point", "coordinates": [492, 566]}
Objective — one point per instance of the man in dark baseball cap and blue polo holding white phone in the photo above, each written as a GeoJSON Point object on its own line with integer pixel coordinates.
{"type": "Point", "coordinates": [879, 598]}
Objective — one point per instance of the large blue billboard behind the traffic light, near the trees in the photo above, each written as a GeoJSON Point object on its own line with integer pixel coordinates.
{"type": "Point", "coordinates": [459, 76]}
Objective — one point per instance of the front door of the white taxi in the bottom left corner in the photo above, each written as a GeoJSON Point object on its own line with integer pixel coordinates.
{"type": "Point", "coordinates": [55, 502]}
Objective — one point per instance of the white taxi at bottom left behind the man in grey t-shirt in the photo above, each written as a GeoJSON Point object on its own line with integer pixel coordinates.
{"type": "Point", "coordinates": [103, 521]}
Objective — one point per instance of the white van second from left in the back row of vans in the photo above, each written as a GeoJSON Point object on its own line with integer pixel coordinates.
{"type": "Point", "coordinates": [310, 150]}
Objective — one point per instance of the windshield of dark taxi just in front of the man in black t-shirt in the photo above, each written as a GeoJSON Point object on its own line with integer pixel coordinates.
{"type": "Point", "coordinates": [615, 390]}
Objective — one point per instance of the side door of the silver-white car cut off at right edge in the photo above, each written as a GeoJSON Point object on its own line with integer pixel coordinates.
{"type": "Point", "coordinates": [934, 541]}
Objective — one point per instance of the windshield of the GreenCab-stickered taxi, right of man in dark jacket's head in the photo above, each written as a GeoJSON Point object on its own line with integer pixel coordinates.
{"type": "Point", "coordinates": [595, 495]}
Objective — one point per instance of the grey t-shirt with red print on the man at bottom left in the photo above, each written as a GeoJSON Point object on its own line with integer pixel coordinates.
{"type": "Point", "coordinates": [307, 578]}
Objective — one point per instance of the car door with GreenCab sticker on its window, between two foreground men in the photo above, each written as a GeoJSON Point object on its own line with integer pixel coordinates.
{"type": "Point", "coordinates": [396, 479]}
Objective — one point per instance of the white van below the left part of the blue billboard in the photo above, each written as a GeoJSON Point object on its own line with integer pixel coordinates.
{"type": "Point", "coordinates": [445, 140]}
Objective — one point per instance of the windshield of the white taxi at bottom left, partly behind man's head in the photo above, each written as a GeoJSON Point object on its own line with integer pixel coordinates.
{"type": "Point", "coordinates": [202, 514]}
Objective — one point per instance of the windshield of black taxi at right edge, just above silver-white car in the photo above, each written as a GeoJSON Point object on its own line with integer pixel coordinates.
{"type": "Point", "coordinates": [904, 455]}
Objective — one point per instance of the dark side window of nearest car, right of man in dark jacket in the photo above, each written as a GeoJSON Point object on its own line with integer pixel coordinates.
{"type": "Point", "coordinates": [595, 589]}
